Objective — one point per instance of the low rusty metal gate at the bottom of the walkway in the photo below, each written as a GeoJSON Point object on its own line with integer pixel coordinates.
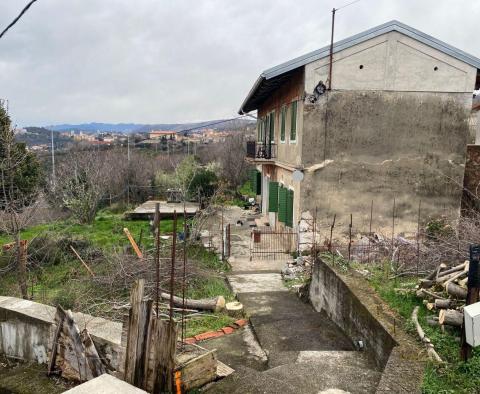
{"type": "Point", "coordinates": [267, 243]}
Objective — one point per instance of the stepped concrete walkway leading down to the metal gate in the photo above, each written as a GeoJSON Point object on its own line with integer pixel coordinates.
{"type": "Point", "coordinates": [305, 352]}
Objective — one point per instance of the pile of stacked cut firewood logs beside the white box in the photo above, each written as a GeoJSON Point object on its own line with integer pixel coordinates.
{"type": "Point", "coordinates": [445, 290]}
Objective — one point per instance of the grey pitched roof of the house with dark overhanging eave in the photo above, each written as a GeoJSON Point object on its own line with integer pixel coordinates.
{"type": "Point", "coordinates": [271, 78]}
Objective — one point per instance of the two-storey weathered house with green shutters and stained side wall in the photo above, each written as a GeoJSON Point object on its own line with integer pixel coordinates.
{"type": "Point", "coordinates": [395, 125]}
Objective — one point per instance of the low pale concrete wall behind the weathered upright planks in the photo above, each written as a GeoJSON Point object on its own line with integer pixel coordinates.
{"type": "Point", "coordinates": [27, 329]}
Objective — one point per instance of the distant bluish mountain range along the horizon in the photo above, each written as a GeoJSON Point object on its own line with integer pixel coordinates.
{"type": "Point", "coordinates": [219, 124]}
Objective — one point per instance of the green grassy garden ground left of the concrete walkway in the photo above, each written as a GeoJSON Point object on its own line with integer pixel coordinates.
{"type": "Point", "coordinates": [56, 276]}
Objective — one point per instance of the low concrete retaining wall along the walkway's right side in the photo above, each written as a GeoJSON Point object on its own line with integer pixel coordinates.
{"type": "Point", "coordinates": [351, 304]}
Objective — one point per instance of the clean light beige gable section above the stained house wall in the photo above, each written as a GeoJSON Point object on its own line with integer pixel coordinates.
{"type": "Point", "coordinates": [393, 61]}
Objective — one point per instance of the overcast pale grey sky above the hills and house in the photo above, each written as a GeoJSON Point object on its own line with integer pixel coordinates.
{"type": "Point", "coordinates": [149, 61]}
